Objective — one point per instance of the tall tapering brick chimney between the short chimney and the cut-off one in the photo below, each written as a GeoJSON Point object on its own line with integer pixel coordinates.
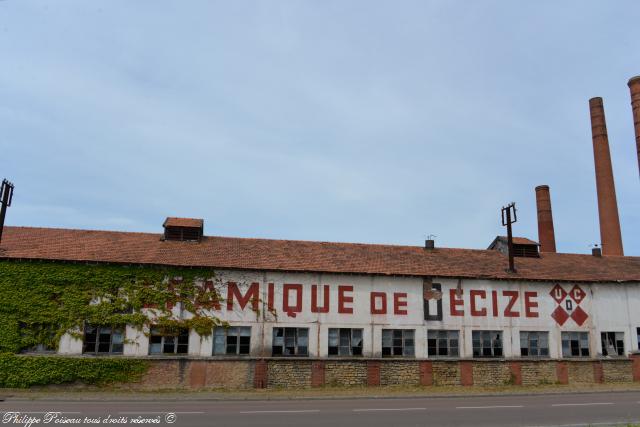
{"type": "Point", "coordinates": [610, 236]}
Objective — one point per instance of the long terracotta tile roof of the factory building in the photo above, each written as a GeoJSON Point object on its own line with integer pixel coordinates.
{"type": "Point", "coordinates": [288, 255]}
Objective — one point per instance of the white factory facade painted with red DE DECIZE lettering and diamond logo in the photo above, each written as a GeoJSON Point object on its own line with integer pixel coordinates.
{"type": "Point", "coordinates": [467, 305]}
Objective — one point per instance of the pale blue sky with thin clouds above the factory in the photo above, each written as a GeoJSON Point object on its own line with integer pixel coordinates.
{"type": "Point", "coordinates": [352, 121]}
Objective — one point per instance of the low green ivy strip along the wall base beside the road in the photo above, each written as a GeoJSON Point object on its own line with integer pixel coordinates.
{"type": "Point", "coordinates": [22, 372]}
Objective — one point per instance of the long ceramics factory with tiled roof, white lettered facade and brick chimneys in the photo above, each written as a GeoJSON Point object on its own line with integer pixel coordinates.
{"type": "Point", "coordinates": [302, 299]}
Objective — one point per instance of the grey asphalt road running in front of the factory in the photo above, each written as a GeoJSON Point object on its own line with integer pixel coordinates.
{"type": "Point", "coordinates": [593, 409]}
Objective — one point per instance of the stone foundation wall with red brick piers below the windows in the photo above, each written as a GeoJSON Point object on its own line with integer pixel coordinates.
{"type": "Point", "coordinates": [185, 373]}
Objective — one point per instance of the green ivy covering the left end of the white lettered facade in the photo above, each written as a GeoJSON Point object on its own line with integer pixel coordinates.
{"type": "Point", "coordinates": [41, 301]}
